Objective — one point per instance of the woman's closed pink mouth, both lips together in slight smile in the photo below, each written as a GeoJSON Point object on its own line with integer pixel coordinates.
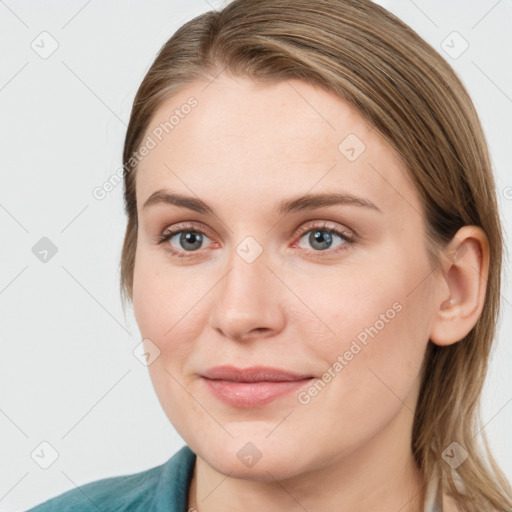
{"type": "Point", "coordinates": [252, 387]}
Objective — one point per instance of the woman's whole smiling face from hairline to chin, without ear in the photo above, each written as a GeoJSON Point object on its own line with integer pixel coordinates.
{"type": "Point", "coordinates": [251, 283]}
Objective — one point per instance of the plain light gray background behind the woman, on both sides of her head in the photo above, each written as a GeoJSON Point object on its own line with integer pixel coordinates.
{"type": "Point", "coordinates": [68, 374]}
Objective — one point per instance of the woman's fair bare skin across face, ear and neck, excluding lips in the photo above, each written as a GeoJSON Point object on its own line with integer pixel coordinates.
{"type": "Point", "coordinates": [244, 148]}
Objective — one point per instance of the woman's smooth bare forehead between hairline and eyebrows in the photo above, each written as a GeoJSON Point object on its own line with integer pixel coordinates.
{"type": "Point", "coordinates": [269, 139]}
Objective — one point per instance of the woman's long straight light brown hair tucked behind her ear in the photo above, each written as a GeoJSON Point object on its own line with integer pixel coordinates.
{"type": "Point", "coordinates": [406, 91]}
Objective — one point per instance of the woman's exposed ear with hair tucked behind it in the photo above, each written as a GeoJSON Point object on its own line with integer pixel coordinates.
{"type": "Point", "coordinates": [461, 292]}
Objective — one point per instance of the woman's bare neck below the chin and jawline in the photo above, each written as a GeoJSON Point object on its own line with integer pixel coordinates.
{"type": "Point", "coordinates": [380, 475]}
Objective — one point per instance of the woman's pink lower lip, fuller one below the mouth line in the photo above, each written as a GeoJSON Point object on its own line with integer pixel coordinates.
{"type": "Point", "coordinates": [252, 394]}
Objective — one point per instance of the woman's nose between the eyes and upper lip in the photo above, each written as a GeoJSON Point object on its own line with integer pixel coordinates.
{"type": "Point", "coordinates": [248, 300]}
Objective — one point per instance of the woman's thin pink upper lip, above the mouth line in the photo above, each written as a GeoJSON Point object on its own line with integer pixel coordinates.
{"type": "Point", "coordinates": [252, 374]}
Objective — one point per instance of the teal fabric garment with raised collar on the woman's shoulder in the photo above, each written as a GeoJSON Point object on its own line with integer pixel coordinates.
{"type": "Point", "coordinates": [161, 487]}
